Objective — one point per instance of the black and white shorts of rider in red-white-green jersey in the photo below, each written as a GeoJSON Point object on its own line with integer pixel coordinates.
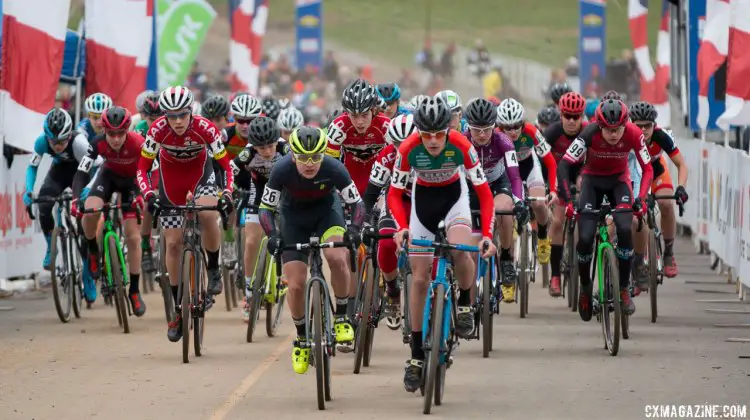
{"type": "Point", "coordinates": [430, 205]}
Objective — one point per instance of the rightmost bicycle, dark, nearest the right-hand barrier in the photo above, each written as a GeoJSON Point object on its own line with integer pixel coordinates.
{"type": "Point", "coordinates": [655, 253]}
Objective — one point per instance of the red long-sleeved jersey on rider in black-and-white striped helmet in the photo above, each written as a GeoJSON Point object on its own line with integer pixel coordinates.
{"type": "Point", "coordinates": [183, 159]}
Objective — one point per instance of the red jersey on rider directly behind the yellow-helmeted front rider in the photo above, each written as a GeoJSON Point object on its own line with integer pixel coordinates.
{"type": "Point", "coordinates": [356, 150]}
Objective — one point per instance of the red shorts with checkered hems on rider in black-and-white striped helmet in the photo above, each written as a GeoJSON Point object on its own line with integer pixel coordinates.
{"type": "Point", "coordinates": [174, 187]}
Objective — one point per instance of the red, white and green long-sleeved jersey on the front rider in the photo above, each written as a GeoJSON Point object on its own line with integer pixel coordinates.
{"type": "Point", "coordinates": [441, 171]}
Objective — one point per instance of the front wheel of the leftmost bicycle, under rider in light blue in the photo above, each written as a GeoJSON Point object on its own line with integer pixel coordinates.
{"type": "Point", "coordinates": [60, 276]}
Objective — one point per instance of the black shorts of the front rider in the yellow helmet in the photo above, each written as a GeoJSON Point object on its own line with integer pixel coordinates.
{"type": "Point", "coordinates": [299, 224]}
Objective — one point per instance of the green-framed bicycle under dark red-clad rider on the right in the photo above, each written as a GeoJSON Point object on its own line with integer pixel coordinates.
{"type": "Point", "coordinates": [606, 301]}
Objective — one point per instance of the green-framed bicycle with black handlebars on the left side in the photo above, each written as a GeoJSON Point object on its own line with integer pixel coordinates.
{"type": "Point", "coordinates": [112, 259]}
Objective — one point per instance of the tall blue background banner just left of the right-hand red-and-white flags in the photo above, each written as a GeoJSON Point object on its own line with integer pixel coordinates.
{"type": "Point", "coordinates": [592, 39]}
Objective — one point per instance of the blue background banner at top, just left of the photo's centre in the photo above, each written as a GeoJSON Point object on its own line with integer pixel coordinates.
{"type": "Point", "coordinates": [309, 24]}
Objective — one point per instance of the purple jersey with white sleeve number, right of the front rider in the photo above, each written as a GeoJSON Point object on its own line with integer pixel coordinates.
{"type": "Point", "coordinates": [498, 158]}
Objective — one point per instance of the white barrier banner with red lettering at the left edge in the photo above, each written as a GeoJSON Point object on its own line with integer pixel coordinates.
{"type": "Point", "coordinates": [22, 245]}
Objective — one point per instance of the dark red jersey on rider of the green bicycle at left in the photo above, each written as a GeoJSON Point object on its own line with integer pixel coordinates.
{"type": "Point", "coordinates": [122, 163]}
